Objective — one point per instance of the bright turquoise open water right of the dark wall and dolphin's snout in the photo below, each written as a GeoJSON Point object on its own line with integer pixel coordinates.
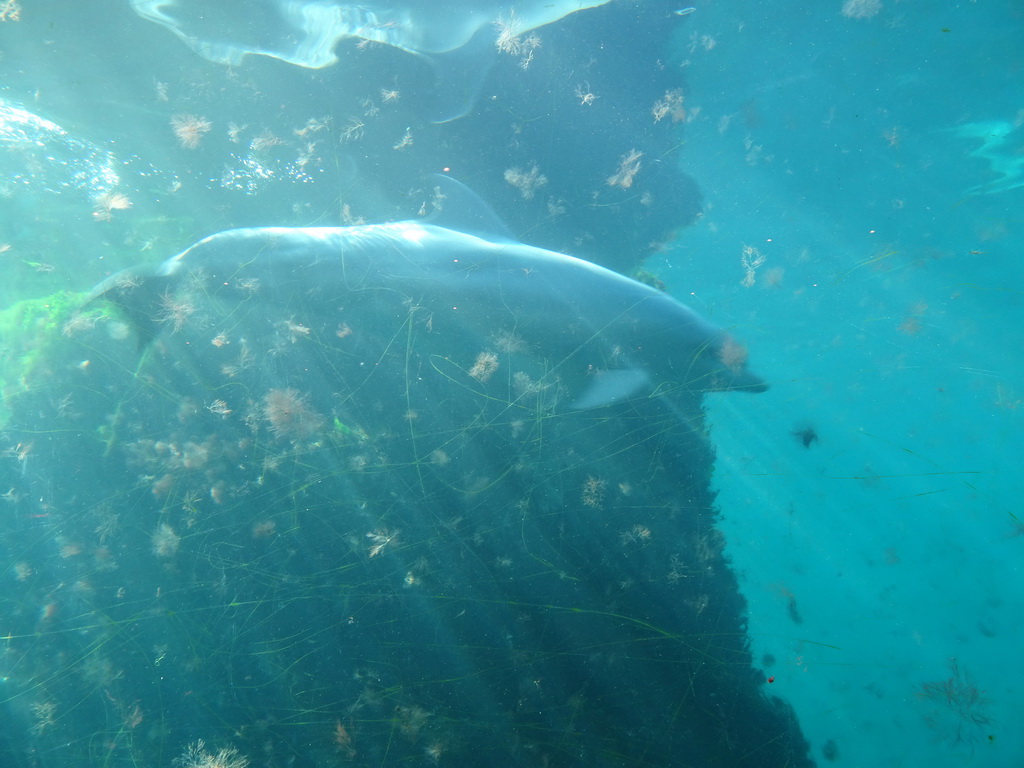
{"type": "Point", "coordinates": [884, 183]}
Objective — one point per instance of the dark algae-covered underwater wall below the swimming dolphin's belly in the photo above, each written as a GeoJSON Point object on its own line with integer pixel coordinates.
{"type": "Point", "coordinates": [312, 534]}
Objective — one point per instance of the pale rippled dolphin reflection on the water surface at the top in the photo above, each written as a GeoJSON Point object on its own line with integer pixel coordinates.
{"type": "Point", "coordinates": [458, 37]}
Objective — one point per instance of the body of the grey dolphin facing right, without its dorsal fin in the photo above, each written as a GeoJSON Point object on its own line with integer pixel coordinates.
{"type": "Point", "coordinates": [610, 338]}
